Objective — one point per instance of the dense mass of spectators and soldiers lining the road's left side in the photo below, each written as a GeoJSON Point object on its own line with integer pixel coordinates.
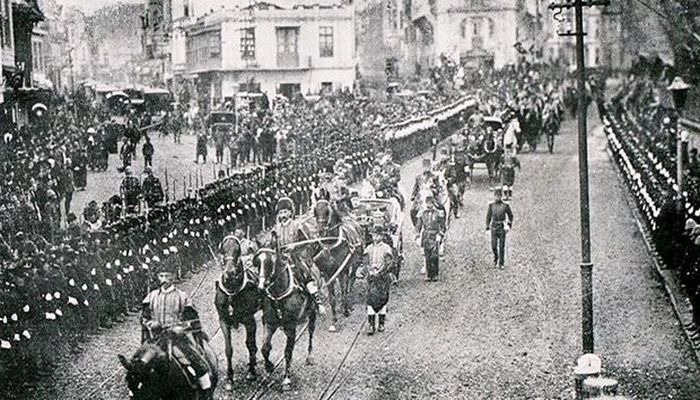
{"type": "Point", "coordinates": [61, 282]}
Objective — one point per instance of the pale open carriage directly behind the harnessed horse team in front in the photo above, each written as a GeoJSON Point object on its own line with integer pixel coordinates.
{"type": "Point", "coordinates": [386, 212]}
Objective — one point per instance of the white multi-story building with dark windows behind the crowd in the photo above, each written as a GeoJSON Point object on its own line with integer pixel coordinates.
{"type": "Point", "coordinates": [281, 46]}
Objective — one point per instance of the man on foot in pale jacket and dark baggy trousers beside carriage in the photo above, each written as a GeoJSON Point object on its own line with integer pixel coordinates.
{"type": "Point", "coordinates": [379, 259]}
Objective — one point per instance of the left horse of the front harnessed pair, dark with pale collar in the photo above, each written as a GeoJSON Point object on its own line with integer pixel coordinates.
{"type": "Point", "coordinates": [237, 300]}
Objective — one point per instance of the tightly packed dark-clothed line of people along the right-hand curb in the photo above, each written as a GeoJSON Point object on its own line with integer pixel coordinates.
{"type": "Point", "coordinates": [642, 134]}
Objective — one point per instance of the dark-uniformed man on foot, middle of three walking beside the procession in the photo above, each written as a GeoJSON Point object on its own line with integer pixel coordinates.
{"type": "Point", "coordinates": [430, 229]}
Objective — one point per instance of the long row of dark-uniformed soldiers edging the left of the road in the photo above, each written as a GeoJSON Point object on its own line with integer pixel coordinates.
{"type": "Point", "coordinates": [54, 294]}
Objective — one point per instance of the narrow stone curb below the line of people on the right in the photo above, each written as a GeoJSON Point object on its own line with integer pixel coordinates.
{"type": "Point", "coordinates": [680, 302]}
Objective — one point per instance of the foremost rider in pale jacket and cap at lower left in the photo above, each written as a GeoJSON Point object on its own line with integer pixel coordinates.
{"type": "Point", "coordinates": [169, 308]}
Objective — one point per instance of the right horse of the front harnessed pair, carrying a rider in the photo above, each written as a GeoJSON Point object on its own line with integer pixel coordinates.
{"type": "Point", "coordinates": [285, 305]}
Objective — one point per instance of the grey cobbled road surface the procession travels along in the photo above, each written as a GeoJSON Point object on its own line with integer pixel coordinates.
{"type": "Point", "coordinates": [479, 333]}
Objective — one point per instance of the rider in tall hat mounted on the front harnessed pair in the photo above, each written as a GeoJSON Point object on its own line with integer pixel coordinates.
{"type": "Point", "coordinates": [287, 231]}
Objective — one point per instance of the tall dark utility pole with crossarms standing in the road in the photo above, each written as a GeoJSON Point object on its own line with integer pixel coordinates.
{"type": "Point", "coordinates": [586, 266]}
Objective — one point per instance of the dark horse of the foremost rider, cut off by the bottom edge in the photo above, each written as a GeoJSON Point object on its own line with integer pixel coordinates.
{"type": "Point", "coordinates": [153, 375]}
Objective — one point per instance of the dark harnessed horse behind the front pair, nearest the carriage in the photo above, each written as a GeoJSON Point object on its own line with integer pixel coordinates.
{"type": "Point", "coordinates": [337, 260]}
